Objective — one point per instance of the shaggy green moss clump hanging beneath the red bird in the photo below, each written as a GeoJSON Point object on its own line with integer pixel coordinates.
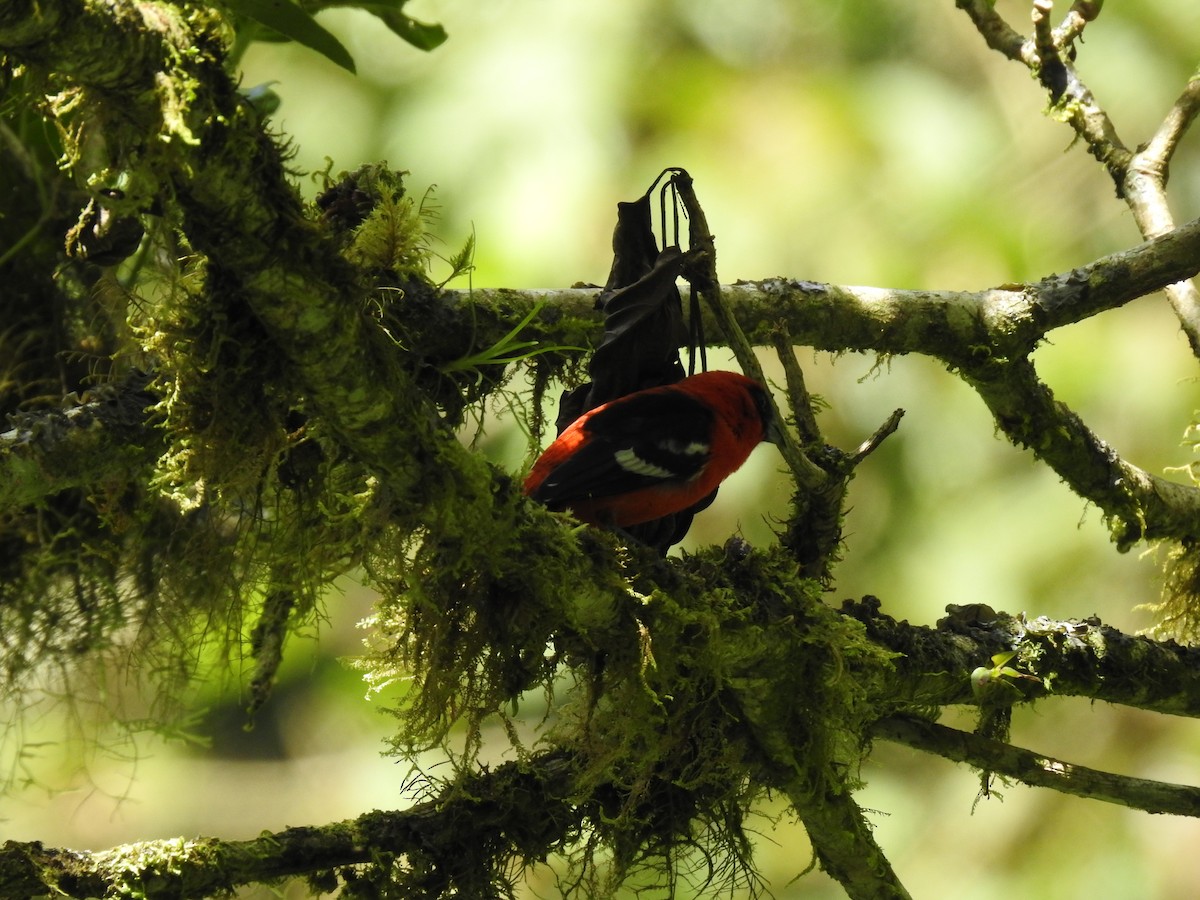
{"type": "Point", "coordinates": [698, 686]}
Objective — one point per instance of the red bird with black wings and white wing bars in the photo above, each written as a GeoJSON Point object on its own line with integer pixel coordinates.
{"type": "Point", "coordinates": [655, 452]}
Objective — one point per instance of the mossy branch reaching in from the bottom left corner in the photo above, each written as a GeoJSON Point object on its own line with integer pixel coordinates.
{"type": "Point", "coordinates": [452, 845]}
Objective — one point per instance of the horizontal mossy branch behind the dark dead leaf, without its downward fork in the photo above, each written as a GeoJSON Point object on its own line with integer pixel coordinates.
{"type": "Point", "coordinates": [958, 327]}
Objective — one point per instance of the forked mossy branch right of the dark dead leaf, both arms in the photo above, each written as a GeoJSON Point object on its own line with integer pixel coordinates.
{"type": "Point", "coordinates": [987, 338]}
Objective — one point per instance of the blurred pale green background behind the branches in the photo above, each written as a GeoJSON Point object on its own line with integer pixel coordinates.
{"type": "Point", "coordinates": [863, 142]}
